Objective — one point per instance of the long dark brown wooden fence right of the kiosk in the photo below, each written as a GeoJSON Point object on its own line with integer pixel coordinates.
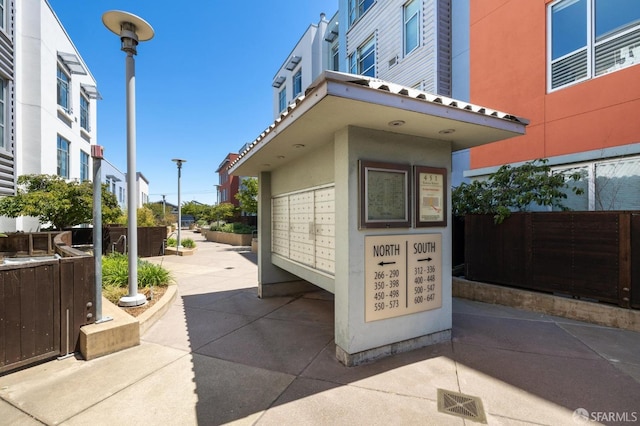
{"type": "Point", "coordinates": [591, 255]}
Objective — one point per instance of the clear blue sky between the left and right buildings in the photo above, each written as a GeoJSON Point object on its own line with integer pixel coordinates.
{"type": "Point", "coordinates": [203, 83]}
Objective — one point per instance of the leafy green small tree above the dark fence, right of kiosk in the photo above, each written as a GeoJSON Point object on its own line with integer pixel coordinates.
{"type": "Point", "coordinates": [514, 189]}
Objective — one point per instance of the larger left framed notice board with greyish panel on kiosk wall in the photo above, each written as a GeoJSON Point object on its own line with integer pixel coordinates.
{"type": "Point", "coordinates": [384, 195]}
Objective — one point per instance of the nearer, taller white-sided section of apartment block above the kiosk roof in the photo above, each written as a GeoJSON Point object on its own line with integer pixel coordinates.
{"type": "Point", "coordinates": [406, 42]}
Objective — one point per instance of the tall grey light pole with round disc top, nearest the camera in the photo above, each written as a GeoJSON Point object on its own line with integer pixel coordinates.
{"type": "Point", "coordinates": [131, 30]}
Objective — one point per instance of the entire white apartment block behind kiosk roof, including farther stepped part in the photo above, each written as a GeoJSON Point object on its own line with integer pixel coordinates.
{"type": "Point", "coordinates": [406, 42]}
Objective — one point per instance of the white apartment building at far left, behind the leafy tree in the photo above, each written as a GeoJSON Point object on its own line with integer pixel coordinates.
{"type": "Point", "coordinates": [48, 96]}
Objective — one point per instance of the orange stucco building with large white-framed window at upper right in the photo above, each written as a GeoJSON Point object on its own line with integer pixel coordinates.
{"type": "Point", "coordinates": [569, 67]}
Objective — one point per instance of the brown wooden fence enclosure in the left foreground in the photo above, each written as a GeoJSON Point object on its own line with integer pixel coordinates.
{"type": "Point", "coordinates": [43, 303]}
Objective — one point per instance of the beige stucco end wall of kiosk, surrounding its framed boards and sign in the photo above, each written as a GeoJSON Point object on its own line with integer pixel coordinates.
{"type": "Point", "coordinates": [353, 335]}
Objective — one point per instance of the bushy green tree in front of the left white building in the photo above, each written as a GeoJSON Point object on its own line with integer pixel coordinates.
{"type": "Point", "coordinates": [63, 203]}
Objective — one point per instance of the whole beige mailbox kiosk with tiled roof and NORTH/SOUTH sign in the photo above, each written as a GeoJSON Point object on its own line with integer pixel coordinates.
{"type": "Point", "coordinates": [353, 198]}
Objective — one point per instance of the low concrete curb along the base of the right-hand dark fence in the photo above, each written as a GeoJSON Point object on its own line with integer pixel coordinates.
{"type": "Point", "coordinates": [595, 313]}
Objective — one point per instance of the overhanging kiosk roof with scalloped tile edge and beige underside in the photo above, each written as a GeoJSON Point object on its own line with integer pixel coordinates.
{"type": "Point", "coordinates": [337, 100]}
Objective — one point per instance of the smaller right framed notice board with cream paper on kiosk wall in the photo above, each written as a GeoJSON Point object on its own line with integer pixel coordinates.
{"type": "Point", "coordinates": [430, 196]}
